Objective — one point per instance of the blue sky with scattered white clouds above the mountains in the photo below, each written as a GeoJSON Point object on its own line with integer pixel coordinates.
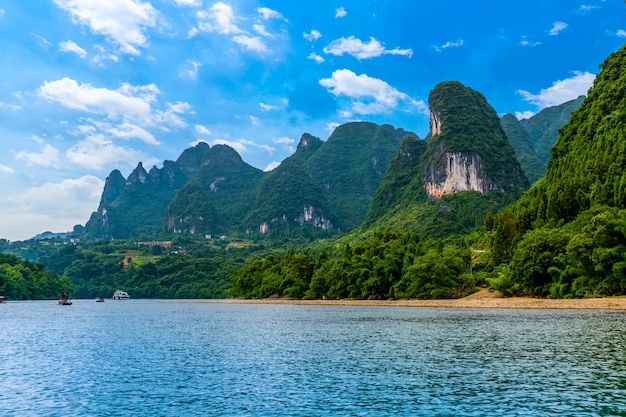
{"type": "Point", "coordinates": [89, 86]}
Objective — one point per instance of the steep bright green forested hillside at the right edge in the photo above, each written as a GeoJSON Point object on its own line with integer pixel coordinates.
{"type": "Point", "coordinates": [566, 237]}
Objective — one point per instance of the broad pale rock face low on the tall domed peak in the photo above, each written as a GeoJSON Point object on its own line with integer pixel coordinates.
{"type": "Point", "coordinates": [458, 172]}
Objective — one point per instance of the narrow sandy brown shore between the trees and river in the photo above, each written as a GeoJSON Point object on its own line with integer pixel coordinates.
{"type": "Point", "coordinates": [480, 299]}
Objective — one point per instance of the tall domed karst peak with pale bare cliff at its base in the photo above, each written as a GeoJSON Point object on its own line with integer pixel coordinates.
{"type": "Point", "coordinates": [467, 149]}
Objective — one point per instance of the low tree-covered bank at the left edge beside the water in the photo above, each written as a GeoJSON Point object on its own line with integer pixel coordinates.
{"type": "Point", "coordinates": [24, 280]}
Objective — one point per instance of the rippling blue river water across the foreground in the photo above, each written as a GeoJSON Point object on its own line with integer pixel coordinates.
{"type": "Point", "coordinates": [168, 358]}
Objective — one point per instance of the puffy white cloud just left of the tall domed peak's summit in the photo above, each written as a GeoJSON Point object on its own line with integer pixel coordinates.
{"type": "Point", "coordinates": [368, 95]}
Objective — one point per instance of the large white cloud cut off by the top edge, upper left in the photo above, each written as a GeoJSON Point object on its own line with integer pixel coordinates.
{"type": "Point", "coordinates": [123, 22]}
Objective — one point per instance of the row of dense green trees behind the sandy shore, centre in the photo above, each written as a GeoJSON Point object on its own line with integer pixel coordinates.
{"type": "Point", "coordinates": [388, 265]}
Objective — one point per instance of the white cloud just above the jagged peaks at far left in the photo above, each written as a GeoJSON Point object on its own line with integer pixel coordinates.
{"type": "Point", "coordinates": [96, 152]}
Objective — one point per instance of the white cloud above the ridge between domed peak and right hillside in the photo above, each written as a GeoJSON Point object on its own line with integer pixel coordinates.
{"type": "Point", "coordinates": [561, 90]}
